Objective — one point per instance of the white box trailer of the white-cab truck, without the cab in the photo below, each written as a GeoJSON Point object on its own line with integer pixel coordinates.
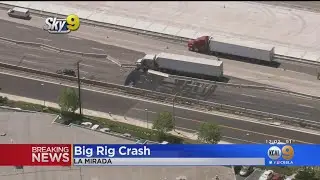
{"type": "Point", "coordinates": [188, 64]}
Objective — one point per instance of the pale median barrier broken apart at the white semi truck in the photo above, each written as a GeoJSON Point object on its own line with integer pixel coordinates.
{"type": "Point", "coordinates": [33, 44]}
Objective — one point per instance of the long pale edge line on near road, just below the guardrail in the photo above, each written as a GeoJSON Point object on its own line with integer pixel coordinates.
{"type": "Point", "coordinates": [97, 90]}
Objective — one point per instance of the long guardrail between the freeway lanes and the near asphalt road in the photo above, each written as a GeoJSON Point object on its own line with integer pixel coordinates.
{"type": "Point", "coordinates": [169, 98]}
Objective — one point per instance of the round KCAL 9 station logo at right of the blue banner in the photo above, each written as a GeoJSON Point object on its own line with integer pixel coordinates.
{"type": "Point", "coordinates": [281, 156]}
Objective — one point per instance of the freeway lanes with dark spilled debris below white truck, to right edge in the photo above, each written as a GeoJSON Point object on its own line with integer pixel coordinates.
{"type": "Point", "coordinates": [265, 101]}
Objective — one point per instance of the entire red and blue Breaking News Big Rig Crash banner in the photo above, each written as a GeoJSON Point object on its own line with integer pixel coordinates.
{"type": "Point", "coordinates": [158, 155]}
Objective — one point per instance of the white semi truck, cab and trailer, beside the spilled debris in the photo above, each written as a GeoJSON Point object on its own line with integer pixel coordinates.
{"type": "Point", "coordinates": [181, 65]}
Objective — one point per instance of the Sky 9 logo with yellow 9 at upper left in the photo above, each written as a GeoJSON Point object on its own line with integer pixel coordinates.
{"type": "Point", "coordinates": [62, 26]}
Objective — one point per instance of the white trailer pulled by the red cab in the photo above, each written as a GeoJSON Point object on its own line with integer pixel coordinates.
{"type": "Point", "coordinates": [242, 48]}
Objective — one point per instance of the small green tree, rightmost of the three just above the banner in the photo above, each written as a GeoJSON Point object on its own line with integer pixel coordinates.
{"type": "Point", "coordinates": [209, 133]}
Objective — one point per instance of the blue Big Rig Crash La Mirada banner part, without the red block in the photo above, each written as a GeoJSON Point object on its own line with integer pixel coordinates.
{"type": "Point", "coordinates": [195, 155]}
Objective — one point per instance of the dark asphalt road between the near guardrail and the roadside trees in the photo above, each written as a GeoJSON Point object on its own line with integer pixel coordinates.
{"type": "Point", "coordinates": [129, 107]}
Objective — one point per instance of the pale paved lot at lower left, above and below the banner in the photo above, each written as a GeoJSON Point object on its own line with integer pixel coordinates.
{"type": "Point", "coordinates": [38, 128]}
